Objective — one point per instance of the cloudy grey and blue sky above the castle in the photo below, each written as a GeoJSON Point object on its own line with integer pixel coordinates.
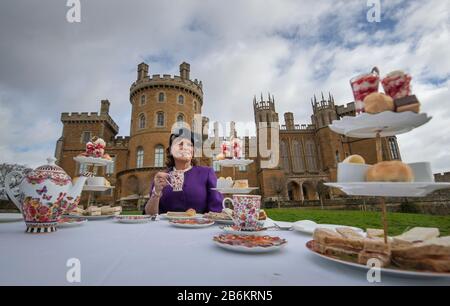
{"type": "Point", "coordinates": [290, 48]}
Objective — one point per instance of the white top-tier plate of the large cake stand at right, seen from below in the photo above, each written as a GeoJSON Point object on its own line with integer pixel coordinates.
{"type": "Point", "coordinates": [387, 123]}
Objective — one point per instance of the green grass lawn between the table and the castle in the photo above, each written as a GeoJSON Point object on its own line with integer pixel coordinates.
{"type": "Point", "coordinates": [398, 222]}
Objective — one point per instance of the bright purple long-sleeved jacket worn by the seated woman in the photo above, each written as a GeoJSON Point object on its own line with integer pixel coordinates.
{"type": "Point", "coordinates": [196, 194]}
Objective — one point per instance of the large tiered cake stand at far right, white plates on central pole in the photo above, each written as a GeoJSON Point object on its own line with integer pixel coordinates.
{"type": "Point", "coordinates": [376, 126]}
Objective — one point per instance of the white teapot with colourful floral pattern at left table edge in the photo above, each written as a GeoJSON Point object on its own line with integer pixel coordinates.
{"type": "Point", "coordinates": [45, 194]}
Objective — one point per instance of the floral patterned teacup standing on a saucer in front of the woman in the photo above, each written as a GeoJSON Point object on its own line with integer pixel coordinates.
{"type": "Point", "coordinates": [245, 210]}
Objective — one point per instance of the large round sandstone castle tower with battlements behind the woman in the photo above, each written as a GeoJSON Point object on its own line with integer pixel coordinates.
{"type": "Point", "coordinates": [159, 105]}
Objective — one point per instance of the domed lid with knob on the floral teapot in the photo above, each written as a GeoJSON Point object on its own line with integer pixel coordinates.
{"type": "Point", "coordinates": [51, 172]}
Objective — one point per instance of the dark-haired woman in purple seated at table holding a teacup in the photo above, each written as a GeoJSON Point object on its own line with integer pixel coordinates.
{"type": "Point", "coordinates": [198, 181]}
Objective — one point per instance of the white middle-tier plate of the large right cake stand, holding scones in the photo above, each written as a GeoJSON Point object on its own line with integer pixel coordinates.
{"type": "Point", "coordinates": [389, 189]}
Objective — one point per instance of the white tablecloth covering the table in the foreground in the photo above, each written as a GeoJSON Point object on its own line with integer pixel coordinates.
{"type": "Point", "coordinates": [156, 253]}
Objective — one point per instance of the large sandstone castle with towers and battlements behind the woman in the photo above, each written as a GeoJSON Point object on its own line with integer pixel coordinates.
{"type": "Point", "coordinates": [308, 153]}
